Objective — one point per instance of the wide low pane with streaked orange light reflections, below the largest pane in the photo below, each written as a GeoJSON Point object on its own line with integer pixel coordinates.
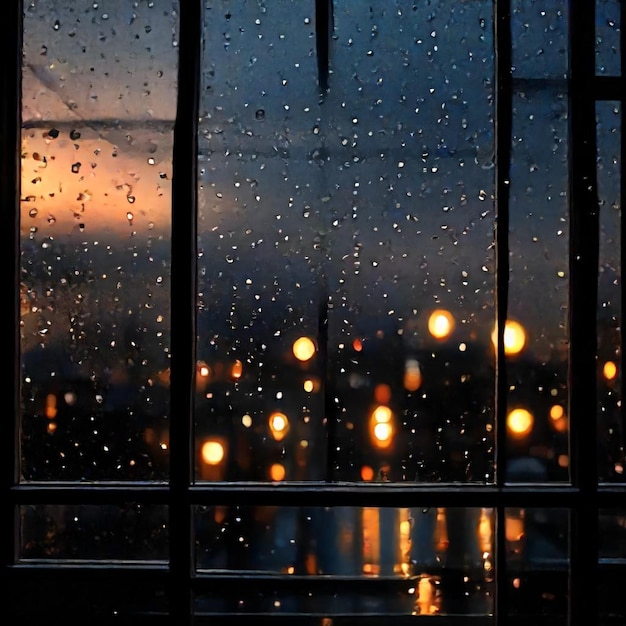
{"type": "Point", "coordinates": [421, 549]}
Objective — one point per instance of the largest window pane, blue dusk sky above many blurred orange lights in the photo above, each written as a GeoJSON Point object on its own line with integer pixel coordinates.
{"type": "Point", "coordinates": [359, 223]}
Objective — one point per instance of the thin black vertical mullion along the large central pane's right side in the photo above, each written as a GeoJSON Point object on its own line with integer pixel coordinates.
{"type": "Point", "coordinates": [503, 127]}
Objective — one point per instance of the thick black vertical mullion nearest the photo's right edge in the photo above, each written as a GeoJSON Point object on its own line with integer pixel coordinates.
{"type": "Point", "coordinates": [584, 242]}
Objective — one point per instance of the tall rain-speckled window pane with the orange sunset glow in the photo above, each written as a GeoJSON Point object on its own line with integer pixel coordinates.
{"type": "Point", "coordinates": [99, 94]}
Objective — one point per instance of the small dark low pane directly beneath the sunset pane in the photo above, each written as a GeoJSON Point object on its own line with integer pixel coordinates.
{"type": "Point", "coordinates": [131, 532]}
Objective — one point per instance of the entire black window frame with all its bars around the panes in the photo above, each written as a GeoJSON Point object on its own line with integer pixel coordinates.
{"type": "Point", "coordinates": [584, 497]}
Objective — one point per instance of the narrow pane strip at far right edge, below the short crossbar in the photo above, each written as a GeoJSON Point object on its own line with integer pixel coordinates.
{"type": "Point", "coordinates": [611, 435]}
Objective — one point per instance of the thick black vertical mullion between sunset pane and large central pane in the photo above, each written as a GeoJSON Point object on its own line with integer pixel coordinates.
{"type": "Point", "coordinates": [183, 302]}
